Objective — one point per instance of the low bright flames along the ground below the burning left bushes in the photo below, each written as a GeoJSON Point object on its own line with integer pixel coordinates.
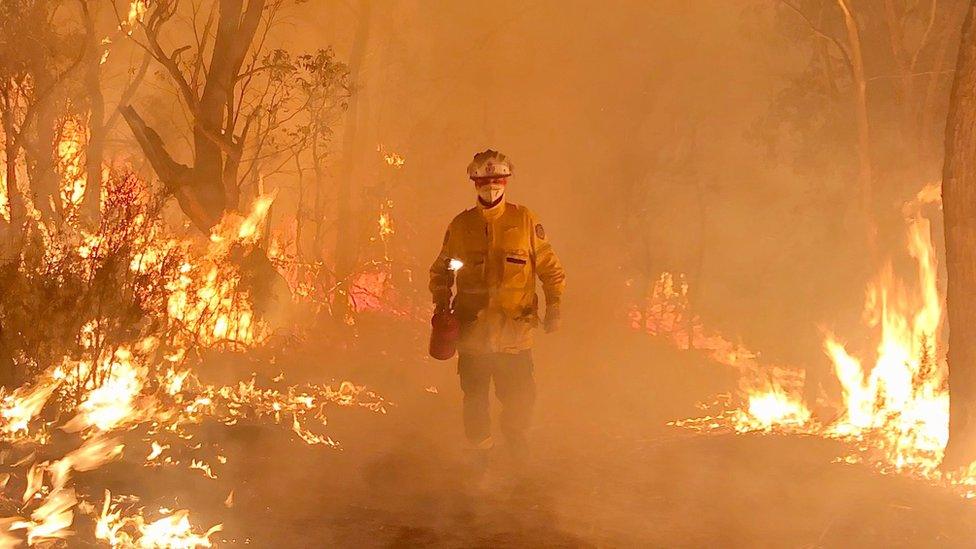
{"type": "Point", "coordinates": [122, 400]}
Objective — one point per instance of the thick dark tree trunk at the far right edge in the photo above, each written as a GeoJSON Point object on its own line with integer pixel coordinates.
{"type": "Point", "coordinates": [959, 204]}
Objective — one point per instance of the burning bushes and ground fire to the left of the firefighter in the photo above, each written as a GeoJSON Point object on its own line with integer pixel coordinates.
{"type": "Point", "coordinates": [127, 390]}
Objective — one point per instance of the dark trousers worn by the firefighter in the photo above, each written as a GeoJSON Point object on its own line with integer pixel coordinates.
{"type": "Point", "coordinates": [514, 387]}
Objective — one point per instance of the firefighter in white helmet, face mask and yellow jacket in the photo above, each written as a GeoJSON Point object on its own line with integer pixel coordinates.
{"type": "Point", "coordinates": [494, 252]}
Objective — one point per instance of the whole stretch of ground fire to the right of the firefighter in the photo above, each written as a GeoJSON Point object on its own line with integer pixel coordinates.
{"type": "Point", "coordinates": [895, 413]}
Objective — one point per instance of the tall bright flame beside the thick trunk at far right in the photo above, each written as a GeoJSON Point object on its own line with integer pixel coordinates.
{"type": "Point", "coordinates": [902, 402]}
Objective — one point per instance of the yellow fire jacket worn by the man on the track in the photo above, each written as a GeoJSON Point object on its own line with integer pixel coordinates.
{"type": "Point", "coordinates": [502, 251]}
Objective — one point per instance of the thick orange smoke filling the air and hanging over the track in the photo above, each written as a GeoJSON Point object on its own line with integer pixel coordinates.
{"type": "Point", "coordinates": [648, 136]}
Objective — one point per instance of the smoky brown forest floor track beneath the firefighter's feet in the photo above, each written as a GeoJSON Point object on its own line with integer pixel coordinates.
{"type": "Point", "coordinates": [605, 470]}
